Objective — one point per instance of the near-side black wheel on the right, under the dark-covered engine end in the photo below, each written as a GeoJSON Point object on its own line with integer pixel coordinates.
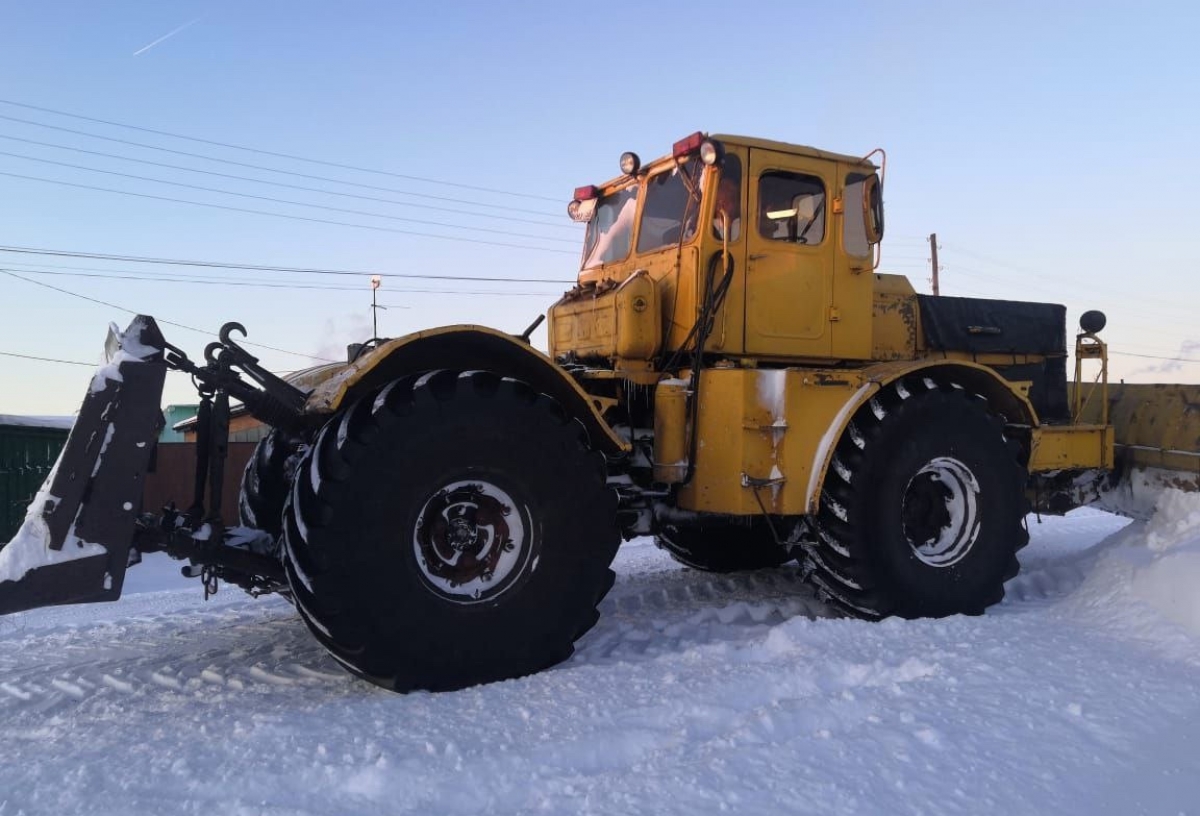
{"type": "Point", "coordinates": [923, 509]}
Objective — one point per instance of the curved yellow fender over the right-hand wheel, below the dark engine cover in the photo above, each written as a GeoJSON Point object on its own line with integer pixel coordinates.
{"type": "Point", "coordinates": [1004, 398]}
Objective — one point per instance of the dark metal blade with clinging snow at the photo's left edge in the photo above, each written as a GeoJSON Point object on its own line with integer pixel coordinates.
{"type": "Point", "coordinates": [75, 543]}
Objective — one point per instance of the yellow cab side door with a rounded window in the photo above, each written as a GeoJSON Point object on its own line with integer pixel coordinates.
{"type": "Point", "coordinates": [789, 256]}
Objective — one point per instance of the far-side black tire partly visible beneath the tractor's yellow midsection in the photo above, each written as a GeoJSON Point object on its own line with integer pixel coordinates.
{"type": "Point", "coordinates": [722, 545]}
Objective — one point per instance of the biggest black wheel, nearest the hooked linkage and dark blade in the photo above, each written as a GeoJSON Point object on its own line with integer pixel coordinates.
{"type": "Point", "coordinates": [449, 531]}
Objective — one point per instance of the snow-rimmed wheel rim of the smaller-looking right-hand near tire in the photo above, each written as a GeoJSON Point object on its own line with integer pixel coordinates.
{"type": "Point", "coordinates": [941, 512]}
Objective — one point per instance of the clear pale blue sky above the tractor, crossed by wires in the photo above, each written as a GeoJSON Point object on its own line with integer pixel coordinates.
{"type": "Point", "coordinates": [1051, 146]}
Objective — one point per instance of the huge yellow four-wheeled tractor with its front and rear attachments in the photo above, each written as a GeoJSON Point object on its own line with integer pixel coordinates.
{"type": "Point", "coordinates": [730, 375]}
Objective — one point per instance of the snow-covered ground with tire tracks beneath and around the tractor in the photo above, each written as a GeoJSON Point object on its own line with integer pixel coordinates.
{"type": "Point", "coordinates": [697, 694]}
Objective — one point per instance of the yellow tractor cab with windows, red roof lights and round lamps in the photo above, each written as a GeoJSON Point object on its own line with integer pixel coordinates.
{"type": "Point", "coordinates": [782, 238]}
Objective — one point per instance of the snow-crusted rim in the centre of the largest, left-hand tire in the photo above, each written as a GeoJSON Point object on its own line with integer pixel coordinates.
{"type": "Point", "coordinates": [472, 542]}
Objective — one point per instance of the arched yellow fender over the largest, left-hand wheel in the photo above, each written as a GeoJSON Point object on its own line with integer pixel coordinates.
{"type": "Point", "coordinates": [465, 349]}
